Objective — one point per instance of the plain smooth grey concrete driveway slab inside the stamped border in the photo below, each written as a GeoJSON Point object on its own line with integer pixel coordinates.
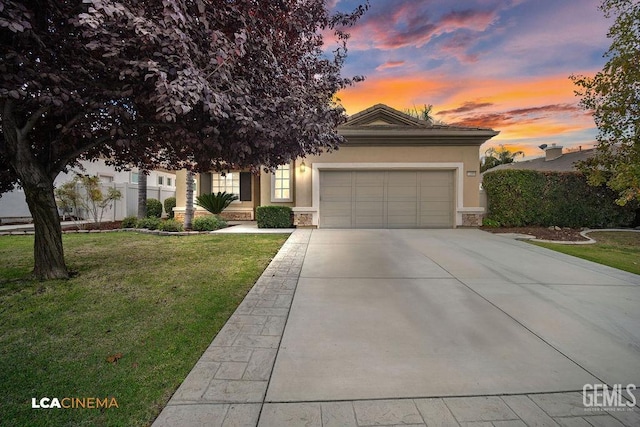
{"type": "Point", "coordinates": [387, 314]}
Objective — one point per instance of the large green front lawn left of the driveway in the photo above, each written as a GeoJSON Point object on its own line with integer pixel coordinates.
{"type": "Point", "coordinates": [157, 300]}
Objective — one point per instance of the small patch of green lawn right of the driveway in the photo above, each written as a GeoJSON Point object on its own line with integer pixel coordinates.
{"type": "Point", "coordinates": [616, 249]}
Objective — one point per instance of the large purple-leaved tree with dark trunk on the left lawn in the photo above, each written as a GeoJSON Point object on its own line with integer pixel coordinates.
{"type": "Point", "coordinates": [200, 84]}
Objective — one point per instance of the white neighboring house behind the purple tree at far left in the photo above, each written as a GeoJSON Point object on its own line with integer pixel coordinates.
{"type": "Point", "coordinates": [160, 185]}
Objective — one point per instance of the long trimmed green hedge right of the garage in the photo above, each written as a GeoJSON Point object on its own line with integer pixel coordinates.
{"type": "Point", "coordinates": [519, 198]}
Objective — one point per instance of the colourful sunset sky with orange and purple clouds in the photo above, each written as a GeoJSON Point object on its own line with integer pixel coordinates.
{"type": "Point", "coordinates": [503, 64]}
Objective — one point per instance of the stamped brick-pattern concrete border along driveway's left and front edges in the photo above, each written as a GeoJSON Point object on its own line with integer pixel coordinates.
{"type": "Point", "coordinates": [228, 384]}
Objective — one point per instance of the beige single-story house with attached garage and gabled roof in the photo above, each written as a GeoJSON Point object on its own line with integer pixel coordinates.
{"type": "Point", "coordinates": [393, 171]}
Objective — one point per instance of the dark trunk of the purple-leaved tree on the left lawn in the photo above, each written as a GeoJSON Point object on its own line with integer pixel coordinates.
{"type": "Point", "coordinates": [48, 253]}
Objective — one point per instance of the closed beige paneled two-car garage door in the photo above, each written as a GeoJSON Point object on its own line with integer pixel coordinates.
{"type": "Point", "coordinates": [386, 199]}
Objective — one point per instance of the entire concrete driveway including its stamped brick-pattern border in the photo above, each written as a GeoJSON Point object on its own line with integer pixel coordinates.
{"type": "Point", "coordinates": [419, 327]}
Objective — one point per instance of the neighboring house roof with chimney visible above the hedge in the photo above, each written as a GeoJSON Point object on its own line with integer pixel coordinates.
{"type": "Point", "coordinates": [554, 160]}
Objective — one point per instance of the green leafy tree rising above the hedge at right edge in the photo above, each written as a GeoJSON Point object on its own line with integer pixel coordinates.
{"type": "Point", "coordinates": [613, 95]}
